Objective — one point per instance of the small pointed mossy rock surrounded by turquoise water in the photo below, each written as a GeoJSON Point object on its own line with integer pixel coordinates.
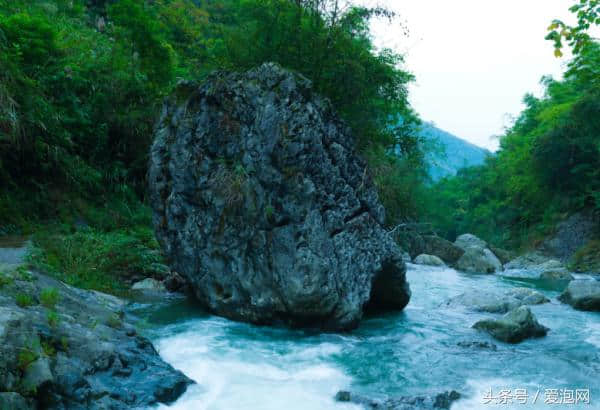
{"type": "Point", "coordinates": [514, 327]}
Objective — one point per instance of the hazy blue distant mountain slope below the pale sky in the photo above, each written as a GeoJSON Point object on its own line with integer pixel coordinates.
{"type": "Point", "coordinates": [450, 153]}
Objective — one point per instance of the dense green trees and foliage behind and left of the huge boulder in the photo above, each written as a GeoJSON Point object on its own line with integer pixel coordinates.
{"type": "Point", "coordinates": [82, 82]}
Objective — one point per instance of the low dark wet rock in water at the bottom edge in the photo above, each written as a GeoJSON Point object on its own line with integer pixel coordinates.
{"type": "Point", "coordinates": [440, 401]}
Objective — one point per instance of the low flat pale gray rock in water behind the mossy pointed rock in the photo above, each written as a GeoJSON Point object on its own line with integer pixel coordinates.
{"type": "Point", "coordinates": [496, 302]}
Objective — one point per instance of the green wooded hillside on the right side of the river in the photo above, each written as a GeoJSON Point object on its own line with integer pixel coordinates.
{"type": "Point", "coordinates": [548, 165]}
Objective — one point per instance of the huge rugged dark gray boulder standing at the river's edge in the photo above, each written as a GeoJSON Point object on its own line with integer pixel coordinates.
{"type": "Point", "coordinates": [260, 200]}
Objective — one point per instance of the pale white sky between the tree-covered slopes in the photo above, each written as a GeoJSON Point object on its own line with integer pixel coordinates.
{"type": "Point", "coordinates": [474, 60]}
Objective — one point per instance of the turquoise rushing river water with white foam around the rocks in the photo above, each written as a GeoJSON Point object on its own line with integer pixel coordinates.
{"type": "Point", "coordinates": [416, 352]}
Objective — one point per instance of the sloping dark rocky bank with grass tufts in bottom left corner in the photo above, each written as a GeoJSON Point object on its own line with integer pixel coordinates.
{"type": "Point", "coordinates": [79, 352]}
